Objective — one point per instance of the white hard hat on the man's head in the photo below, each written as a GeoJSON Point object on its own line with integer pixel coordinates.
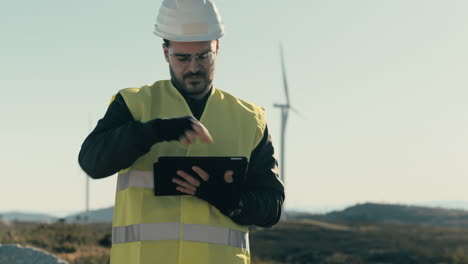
{"type": "Point", "coordinates": [189, 20]}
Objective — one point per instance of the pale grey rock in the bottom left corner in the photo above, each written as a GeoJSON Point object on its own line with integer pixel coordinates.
{"type": "Point", "coordinates": [17, 254]}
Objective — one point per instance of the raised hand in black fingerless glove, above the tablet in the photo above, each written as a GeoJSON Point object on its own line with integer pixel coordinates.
{"type": "Point", "coordinates": [184, 129]}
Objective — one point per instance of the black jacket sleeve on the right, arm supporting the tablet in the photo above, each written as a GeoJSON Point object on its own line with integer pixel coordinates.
{"type": "Point", "coordinates": [263, 195]}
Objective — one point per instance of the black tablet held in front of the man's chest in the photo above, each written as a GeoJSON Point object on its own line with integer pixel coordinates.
{"type": "Point", "coordinates": [164, 170]}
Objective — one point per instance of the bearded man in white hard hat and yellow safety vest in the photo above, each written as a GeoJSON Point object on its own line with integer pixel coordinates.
{"type": "Point", "coordinates": [185, 116]}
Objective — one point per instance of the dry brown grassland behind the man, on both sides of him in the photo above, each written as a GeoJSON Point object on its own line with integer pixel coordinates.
{"type": "Point", "coordinates": [307, 241]}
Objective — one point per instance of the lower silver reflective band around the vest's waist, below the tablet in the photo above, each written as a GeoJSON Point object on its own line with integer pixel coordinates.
{"type": "Point", "coordinates": [171, 231]}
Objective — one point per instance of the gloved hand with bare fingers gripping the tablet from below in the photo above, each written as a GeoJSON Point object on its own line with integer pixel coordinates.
{"type": "Point", "coordinates": [224, 196]}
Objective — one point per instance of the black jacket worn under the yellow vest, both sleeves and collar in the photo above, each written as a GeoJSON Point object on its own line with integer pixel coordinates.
{"type": "Point", "coordinates": [119, 140]}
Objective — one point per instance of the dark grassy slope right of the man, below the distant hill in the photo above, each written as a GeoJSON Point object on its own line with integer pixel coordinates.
{"type": "Point", "coordinates": [312, 241]}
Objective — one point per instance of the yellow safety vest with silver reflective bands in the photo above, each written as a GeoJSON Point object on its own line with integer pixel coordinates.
{"type": "Point", "coordinates": [181, 229]}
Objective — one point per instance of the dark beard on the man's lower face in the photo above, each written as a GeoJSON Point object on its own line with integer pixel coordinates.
{"type": "Point", "coordinates": [191, 87]}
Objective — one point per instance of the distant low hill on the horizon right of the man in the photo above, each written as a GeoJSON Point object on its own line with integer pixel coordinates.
{"type": "Point", "coordinates": [395, 214]}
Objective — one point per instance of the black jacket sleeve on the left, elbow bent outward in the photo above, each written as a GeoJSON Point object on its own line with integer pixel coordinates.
{"type": "Point", "coordinates": [116, 142]}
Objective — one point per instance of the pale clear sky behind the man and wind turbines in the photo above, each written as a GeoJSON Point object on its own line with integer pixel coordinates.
{"type": "Point", "coordinates": [382, 86]}
